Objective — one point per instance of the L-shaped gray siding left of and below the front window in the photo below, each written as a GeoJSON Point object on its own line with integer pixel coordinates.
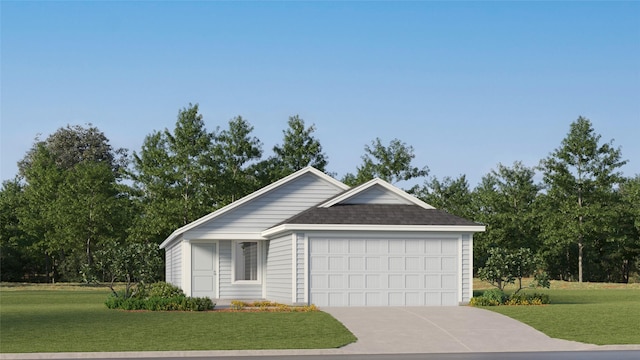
{"type": "Point", "coordinates": [229, 290]}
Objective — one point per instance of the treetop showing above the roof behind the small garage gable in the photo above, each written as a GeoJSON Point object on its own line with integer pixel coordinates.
{"type": "Point", "coordinates": [390, 163]}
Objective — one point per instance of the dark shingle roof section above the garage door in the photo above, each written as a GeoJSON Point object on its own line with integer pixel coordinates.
{"type": "Point", "coordinates": [377, 214]}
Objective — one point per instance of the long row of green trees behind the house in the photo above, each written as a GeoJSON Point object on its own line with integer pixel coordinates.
{"type": "Point", "coordinates": [75, 196]}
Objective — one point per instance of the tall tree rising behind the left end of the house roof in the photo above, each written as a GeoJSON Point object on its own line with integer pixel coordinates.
{"type": "Point", "coordinates": [175, 177]}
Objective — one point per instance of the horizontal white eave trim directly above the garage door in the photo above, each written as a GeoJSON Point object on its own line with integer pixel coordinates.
{"type": "Point", "coordinates": [384, 228]}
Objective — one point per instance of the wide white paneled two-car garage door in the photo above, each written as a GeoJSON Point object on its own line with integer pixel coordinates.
{"type": "Point", "coordinates": [383, 272]}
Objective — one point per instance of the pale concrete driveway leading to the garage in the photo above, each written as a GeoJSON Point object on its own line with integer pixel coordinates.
{"type": "Point", "coordinates": [442, 330]}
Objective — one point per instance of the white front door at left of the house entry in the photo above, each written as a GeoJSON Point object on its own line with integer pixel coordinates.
{"type": "Point", "coordinates": [203, 270]}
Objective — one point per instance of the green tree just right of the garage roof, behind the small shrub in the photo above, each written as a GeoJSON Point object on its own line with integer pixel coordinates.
{"type": "Point", "coordinates": [505, 200]}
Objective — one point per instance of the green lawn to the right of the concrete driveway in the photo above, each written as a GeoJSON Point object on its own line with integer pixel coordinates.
{"type": "Point", "coordinates": [594, 313]}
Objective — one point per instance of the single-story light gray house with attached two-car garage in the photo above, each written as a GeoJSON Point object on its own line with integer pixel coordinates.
{"type": "Point", "coordinates": [310, 239]}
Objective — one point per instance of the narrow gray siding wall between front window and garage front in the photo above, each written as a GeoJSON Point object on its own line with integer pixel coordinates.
{"type": "Point", "coordinates": [279, 269]}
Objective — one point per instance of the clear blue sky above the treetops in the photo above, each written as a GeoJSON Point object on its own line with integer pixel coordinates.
{"type": "Point", "coordinates": [467, 84]}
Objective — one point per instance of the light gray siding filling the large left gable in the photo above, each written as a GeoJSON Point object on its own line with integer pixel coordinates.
{"type": "Point", "coordinates": [269, 209]}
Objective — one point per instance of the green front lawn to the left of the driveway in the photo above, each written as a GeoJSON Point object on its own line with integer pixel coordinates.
{"type": "Point", "coordinates": [75, 319]}
